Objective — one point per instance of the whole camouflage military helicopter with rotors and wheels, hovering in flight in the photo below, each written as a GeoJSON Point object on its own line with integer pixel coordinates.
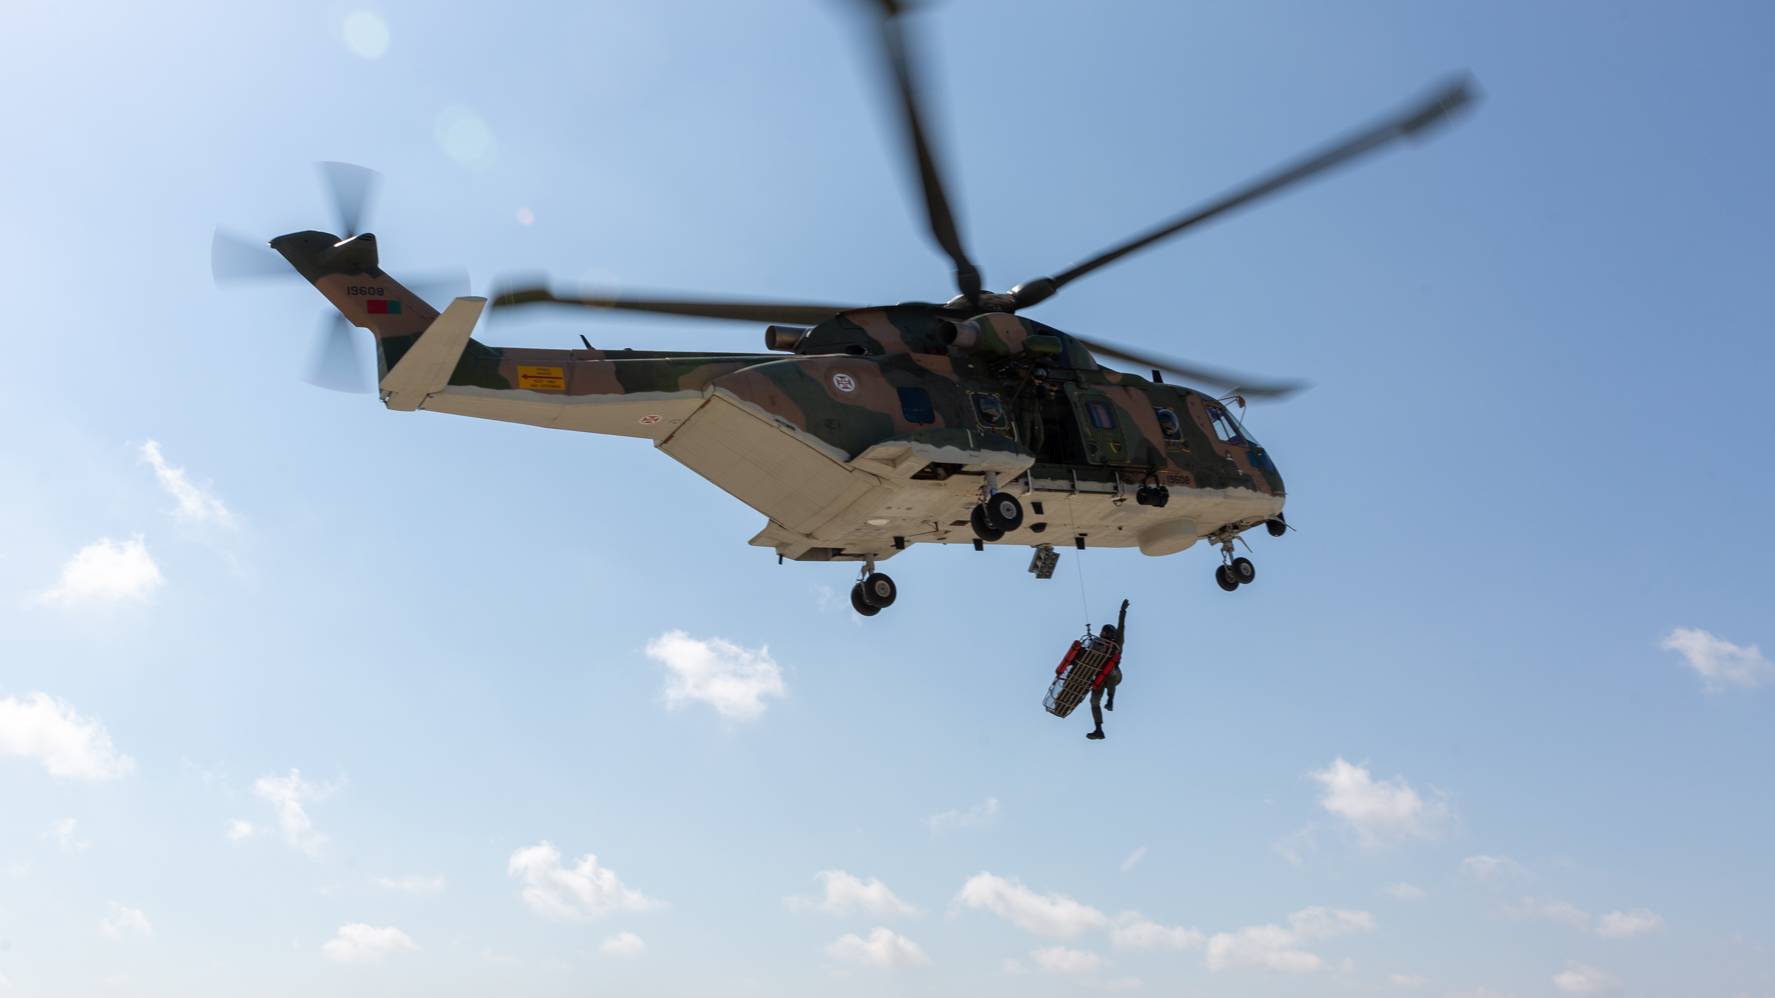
{"type": "Point", "coordinates": [867, 431]}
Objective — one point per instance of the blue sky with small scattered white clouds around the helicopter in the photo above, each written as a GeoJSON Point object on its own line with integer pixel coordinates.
{"type": "Point", "coordinates": [297, 695]}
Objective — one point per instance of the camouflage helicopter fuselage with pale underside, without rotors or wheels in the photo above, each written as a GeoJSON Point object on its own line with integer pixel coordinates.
{"type": "Point", "coordinates": [871, 432]}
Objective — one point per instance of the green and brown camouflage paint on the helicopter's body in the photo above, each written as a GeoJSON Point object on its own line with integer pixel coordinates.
{"type": "Point", "coordinates": [869, 377]}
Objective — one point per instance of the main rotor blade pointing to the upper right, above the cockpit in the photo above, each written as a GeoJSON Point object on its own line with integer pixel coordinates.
{"type": "Point", "coordinates": [1410, 123]}
